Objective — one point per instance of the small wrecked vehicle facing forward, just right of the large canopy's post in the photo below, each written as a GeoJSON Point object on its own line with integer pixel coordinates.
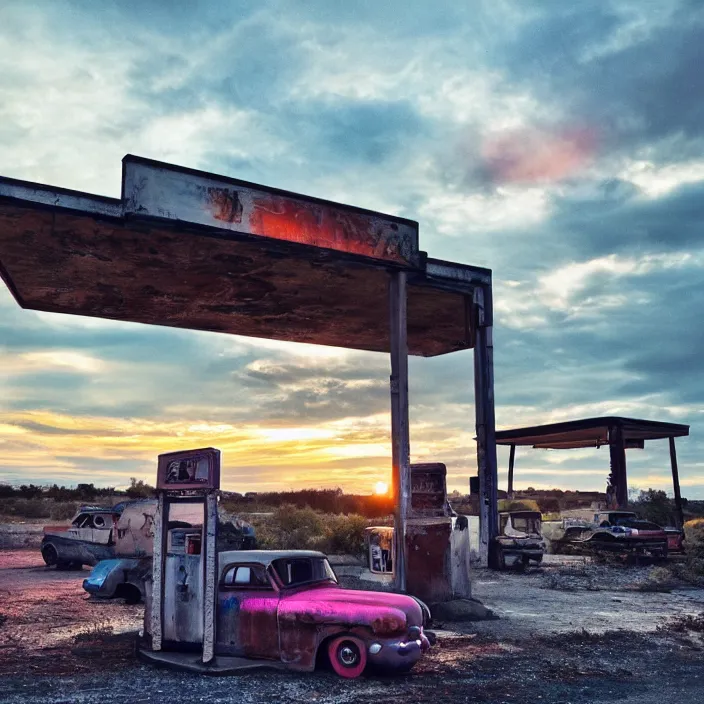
{"type": "Point", "coordinates": [520, 540]}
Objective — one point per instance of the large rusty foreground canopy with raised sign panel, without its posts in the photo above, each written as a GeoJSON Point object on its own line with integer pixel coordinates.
{"type": "Point", "coordinates": [190, 249]}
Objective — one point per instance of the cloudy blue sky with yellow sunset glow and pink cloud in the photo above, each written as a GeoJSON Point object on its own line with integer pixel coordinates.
{"type": "Point", "coordinates": [560, 144]}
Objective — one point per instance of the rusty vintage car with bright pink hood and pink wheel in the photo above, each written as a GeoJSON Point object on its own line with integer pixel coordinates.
{"type": "Point", "coordinates": [288, 607]}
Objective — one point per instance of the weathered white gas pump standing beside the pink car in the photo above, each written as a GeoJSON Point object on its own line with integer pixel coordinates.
{"type": "Point", "coordinates": [180, 603]}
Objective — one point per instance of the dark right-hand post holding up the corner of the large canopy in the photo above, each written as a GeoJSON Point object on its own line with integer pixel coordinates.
{"type": "Point", "coordinates": [485, 422]}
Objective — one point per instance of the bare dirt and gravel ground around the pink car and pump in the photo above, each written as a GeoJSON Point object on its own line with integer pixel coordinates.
{"type": "Point", "coordinates": [567, 633]}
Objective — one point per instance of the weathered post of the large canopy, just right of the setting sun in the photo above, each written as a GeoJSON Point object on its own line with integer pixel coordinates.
{"type": "Point", "coordinates": [400, 439]}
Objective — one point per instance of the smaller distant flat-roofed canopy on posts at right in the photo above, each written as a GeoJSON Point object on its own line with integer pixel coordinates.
{"type": "Point", "coordinates": [620, 434]}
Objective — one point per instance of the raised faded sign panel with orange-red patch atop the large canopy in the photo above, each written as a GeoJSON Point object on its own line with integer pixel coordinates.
{"type": "Point", "coordinates": [164, 191]}
